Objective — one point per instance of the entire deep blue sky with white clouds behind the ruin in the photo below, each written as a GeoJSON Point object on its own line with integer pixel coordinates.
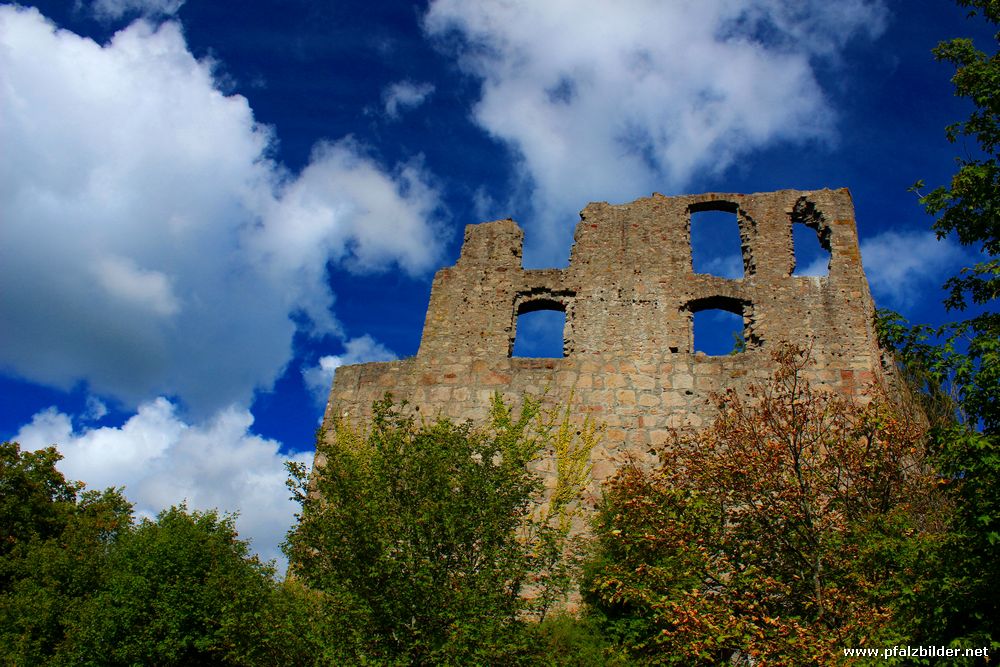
{"type": "Point", "coordinates": [206, 207]}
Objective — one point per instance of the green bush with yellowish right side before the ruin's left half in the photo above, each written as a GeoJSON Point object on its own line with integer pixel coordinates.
{"type": "Point", "coordinates": [427, 539]}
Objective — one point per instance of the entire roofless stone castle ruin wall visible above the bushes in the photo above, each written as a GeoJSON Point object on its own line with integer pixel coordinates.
{"type": "Point", "coordinates": [629, 295]}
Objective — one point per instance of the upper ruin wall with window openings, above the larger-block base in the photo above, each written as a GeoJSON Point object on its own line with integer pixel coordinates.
{"type": "Point", "coordinates": [630, 288]}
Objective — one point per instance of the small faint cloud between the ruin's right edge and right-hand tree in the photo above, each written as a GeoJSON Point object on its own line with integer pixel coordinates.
{"type": "Point", "coordinates": [902, 266]}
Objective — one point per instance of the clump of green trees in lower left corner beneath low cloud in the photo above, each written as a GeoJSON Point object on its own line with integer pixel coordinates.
{"type": "Point", "coordinates": [84, 585]}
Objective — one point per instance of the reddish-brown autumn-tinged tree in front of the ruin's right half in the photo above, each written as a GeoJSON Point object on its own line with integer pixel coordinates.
{"type": "Point", "coordinates": [797, 524]}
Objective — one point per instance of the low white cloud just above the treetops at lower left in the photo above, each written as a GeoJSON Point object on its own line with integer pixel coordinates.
{"type": "Point", "coordinates": [162, 460]}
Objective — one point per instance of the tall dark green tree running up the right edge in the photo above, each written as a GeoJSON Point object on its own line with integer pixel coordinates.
{"type": "Point", "coordinates": [958, 365]}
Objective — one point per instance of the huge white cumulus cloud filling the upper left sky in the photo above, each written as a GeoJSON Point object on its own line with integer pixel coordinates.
{"type": "Point", "coordinates": [149, 245]}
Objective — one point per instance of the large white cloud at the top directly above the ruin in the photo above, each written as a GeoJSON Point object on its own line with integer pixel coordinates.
{"type": "Point", "coordinates": [615, 100]}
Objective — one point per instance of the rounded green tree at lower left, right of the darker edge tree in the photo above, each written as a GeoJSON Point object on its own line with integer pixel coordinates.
{"type": "Point", "coordinates": [176, 591]}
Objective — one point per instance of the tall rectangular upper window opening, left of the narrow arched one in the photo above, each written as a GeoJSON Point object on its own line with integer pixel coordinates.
{"type": "Point", "coordinates": [716, 247]}
